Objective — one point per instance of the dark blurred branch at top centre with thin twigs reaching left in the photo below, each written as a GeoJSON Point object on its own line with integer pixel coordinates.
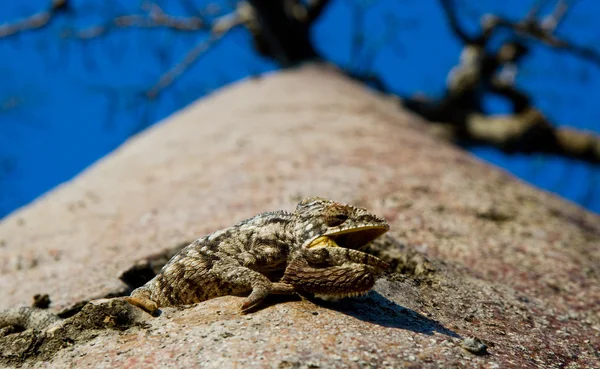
{"type": "Point", "coordinates": [280, 30]}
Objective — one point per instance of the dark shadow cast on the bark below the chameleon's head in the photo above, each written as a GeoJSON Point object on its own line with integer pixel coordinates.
{"type": "Point", "coordinates": [375, 308]}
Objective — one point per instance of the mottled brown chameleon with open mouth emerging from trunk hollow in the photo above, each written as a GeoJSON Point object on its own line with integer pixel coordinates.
{"type": "Point", "coordinates": [314, 249]}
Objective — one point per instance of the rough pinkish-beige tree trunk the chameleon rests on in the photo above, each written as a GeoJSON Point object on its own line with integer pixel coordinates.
{"type": "Point", "coordinates": [476, 252]}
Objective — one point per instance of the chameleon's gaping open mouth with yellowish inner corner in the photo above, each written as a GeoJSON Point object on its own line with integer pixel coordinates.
{"type": "Point", "coordinates": [351, 238]}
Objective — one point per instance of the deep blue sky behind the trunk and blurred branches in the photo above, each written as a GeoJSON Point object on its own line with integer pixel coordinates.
{"type": "Point", "coordinates": [66, 102]}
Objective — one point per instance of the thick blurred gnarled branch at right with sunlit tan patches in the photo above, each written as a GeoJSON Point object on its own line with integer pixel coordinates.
{"type": "Point", "coordinates": [459, 115]}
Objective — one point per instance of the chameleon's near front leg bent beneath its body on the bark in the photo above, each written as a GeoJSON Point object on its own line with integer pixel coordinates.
{"type": "Point", "coordinates": [241, 279]}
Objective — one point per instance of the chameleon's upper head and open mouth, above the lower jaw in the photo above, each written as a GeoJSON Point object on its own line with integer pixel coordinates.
{"type": "Point", "coordinates": [326, 223]}
